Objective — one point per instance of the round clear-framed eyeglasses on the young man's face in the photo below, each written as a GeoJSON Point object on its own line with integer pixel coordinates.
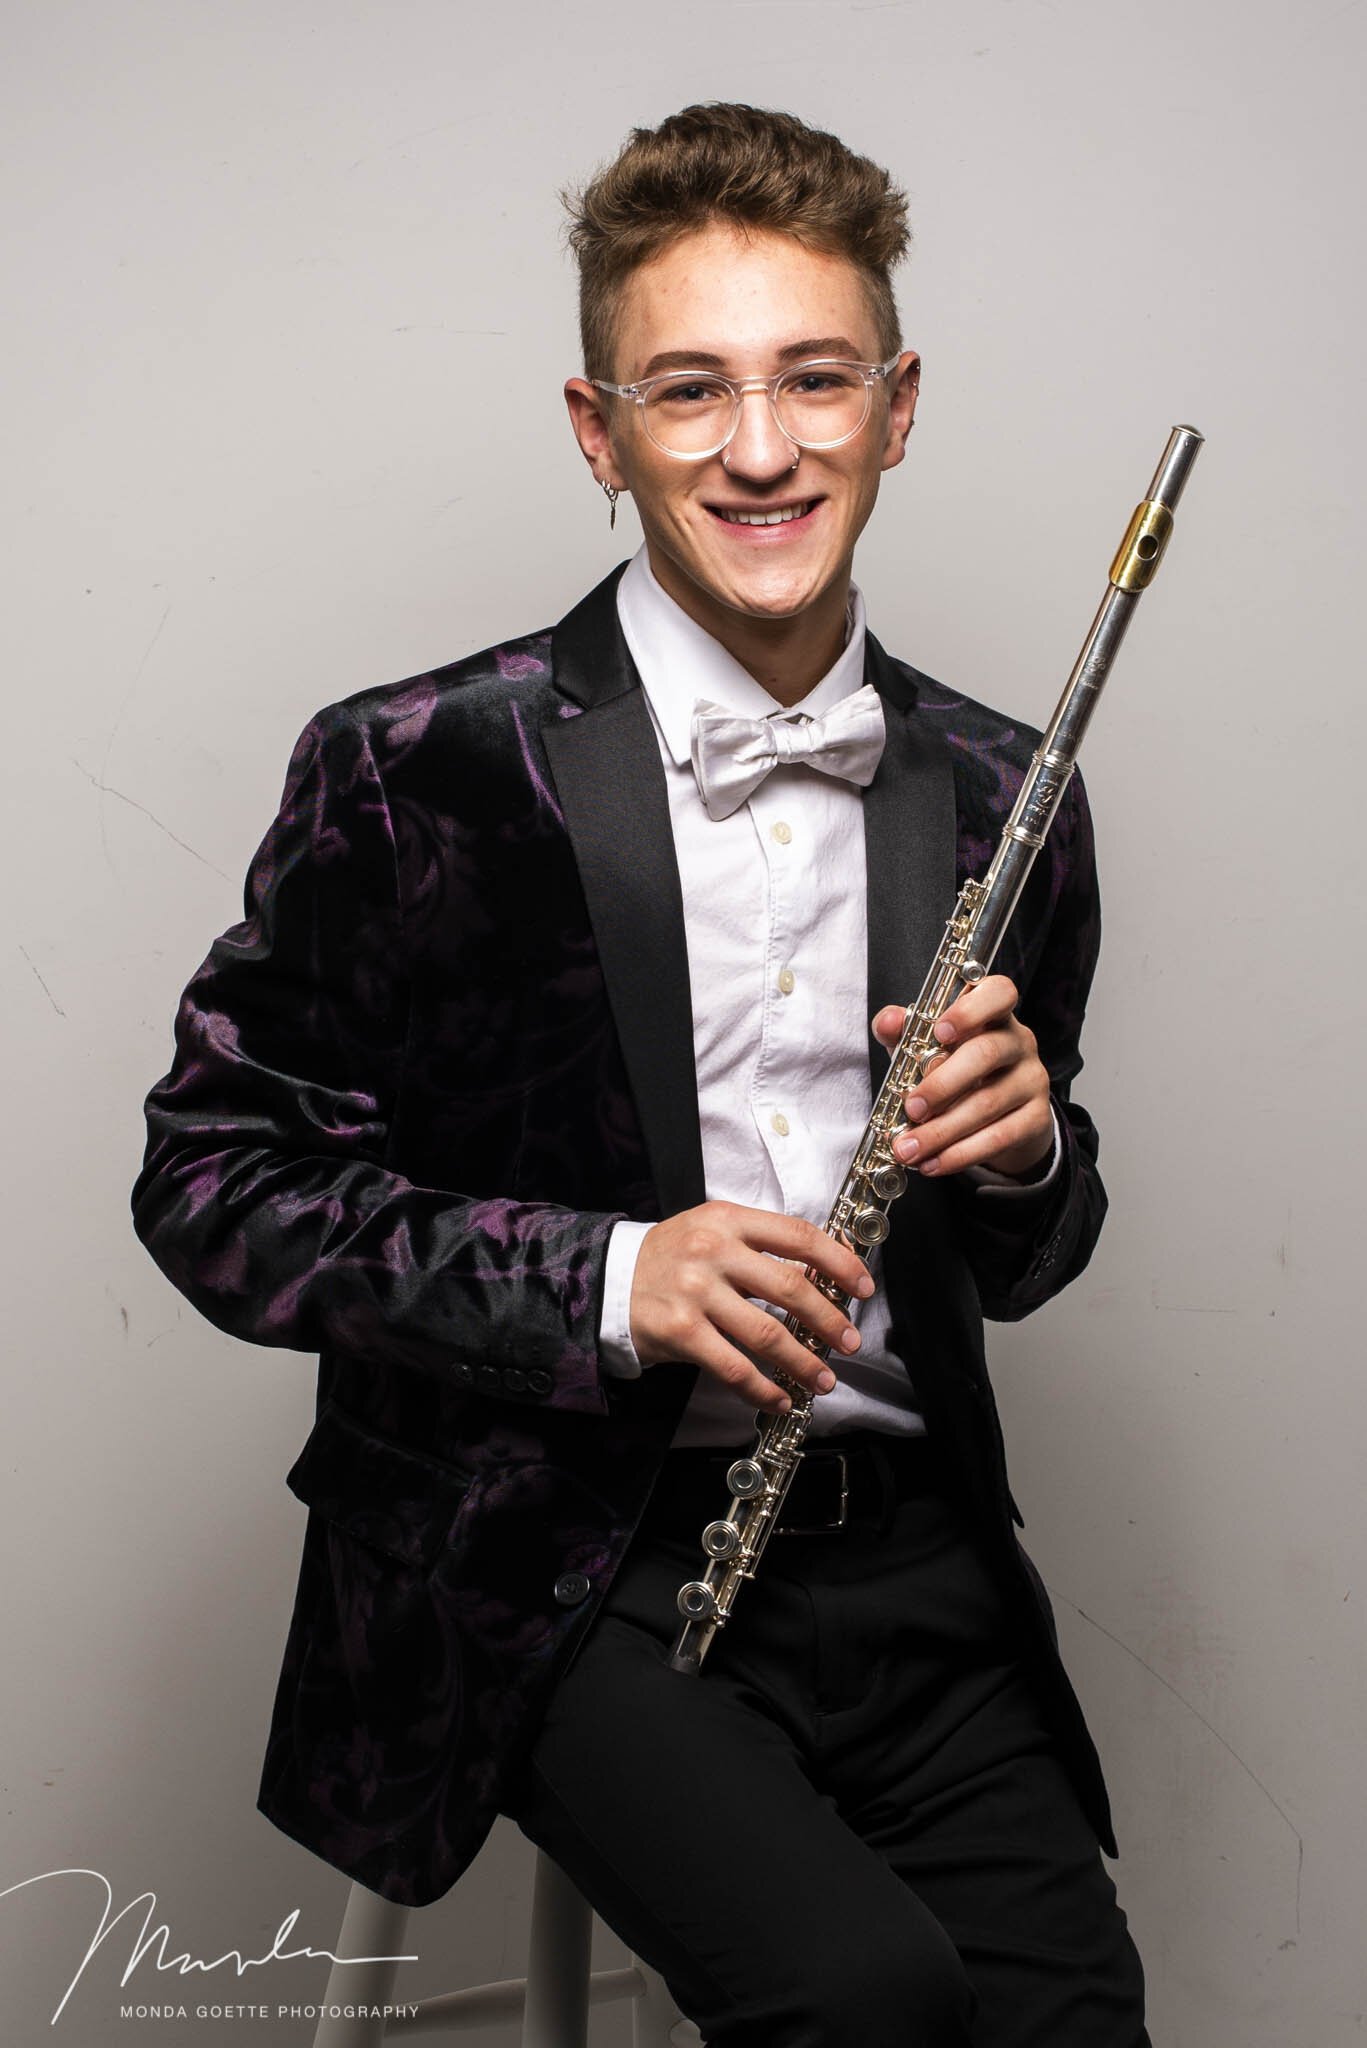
{"type": "Point", "coordinates": [696, 415]}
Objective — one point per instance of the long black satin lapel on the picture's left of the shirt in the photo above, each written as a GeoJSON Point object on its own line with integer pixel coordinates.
{"type": "Point", "coordinates": [612, 790]}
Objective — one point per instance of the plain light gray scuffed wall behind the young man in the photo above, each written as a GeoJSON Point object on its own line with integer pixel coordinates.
{"type": "Point", "coordinates": [288, 321]}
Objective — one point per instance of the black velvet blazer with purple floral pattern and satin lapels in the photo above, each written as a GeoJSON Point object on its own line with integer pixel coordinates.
{"type": "Point", "coordinates": [444, 1052]}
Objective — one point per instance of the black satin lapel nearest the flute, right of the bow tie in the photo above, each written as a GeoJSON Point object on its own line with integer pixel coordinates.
{"type": "Point", "coordinates": [911, 841]}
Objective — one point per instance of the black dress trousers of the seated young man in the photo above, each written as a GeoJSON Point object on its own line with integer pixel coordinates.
{"type": "Point", "coordinates": [852, 1828]}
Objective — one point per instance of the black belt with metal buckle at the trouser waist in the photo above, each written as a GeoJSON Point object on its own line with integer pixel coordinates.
{"type": "Point", "coordinates": [841, 1482]}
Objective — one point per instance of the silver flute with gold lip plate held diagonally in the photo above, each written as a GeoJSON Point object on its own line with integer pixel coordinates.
{"type": "Point", "coordinates": [876, 1179]}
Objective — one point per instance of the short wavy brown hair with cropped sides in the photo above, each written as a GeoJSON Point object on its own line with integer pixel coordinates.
{"type": "Point", "coordinates": [745, 165]}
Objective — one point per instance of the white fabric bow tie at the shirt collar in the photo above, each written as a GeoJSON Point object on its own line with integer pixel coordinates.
{"type": "Point", "coordinates": [733, 757]}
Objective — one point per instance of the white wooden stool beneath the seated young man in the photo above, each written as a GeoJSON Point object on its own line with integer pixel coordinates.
{"type": "Point", "coordinates": [554, 1998]}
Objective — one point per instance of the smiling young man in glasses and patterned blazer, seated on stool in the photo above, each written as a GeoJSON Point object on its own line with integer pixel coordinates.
{"type": "Point", "coordinates": [522, 1095]}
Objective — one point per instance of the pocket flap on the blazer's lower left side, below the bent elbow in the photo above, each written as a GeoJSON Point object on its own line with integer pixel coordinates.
{"type": "Point", "coordinates": [376, 1490]}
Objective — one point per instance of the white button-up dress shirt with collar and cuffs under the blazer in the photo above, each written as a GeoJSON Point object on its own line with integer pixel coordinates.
{"type": "Point", "coordinates": [776, 925]}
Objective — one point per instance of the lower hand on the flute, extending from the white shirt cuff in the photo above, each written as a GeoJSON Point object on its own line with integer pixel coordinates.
{"type": "Point", "coordinates": [696, 1273]}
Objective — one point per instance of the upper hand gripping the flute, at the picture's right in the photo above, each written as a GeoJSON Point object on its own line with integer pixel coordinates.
{"type": "Point", "coordinates": [987, 1103]}
